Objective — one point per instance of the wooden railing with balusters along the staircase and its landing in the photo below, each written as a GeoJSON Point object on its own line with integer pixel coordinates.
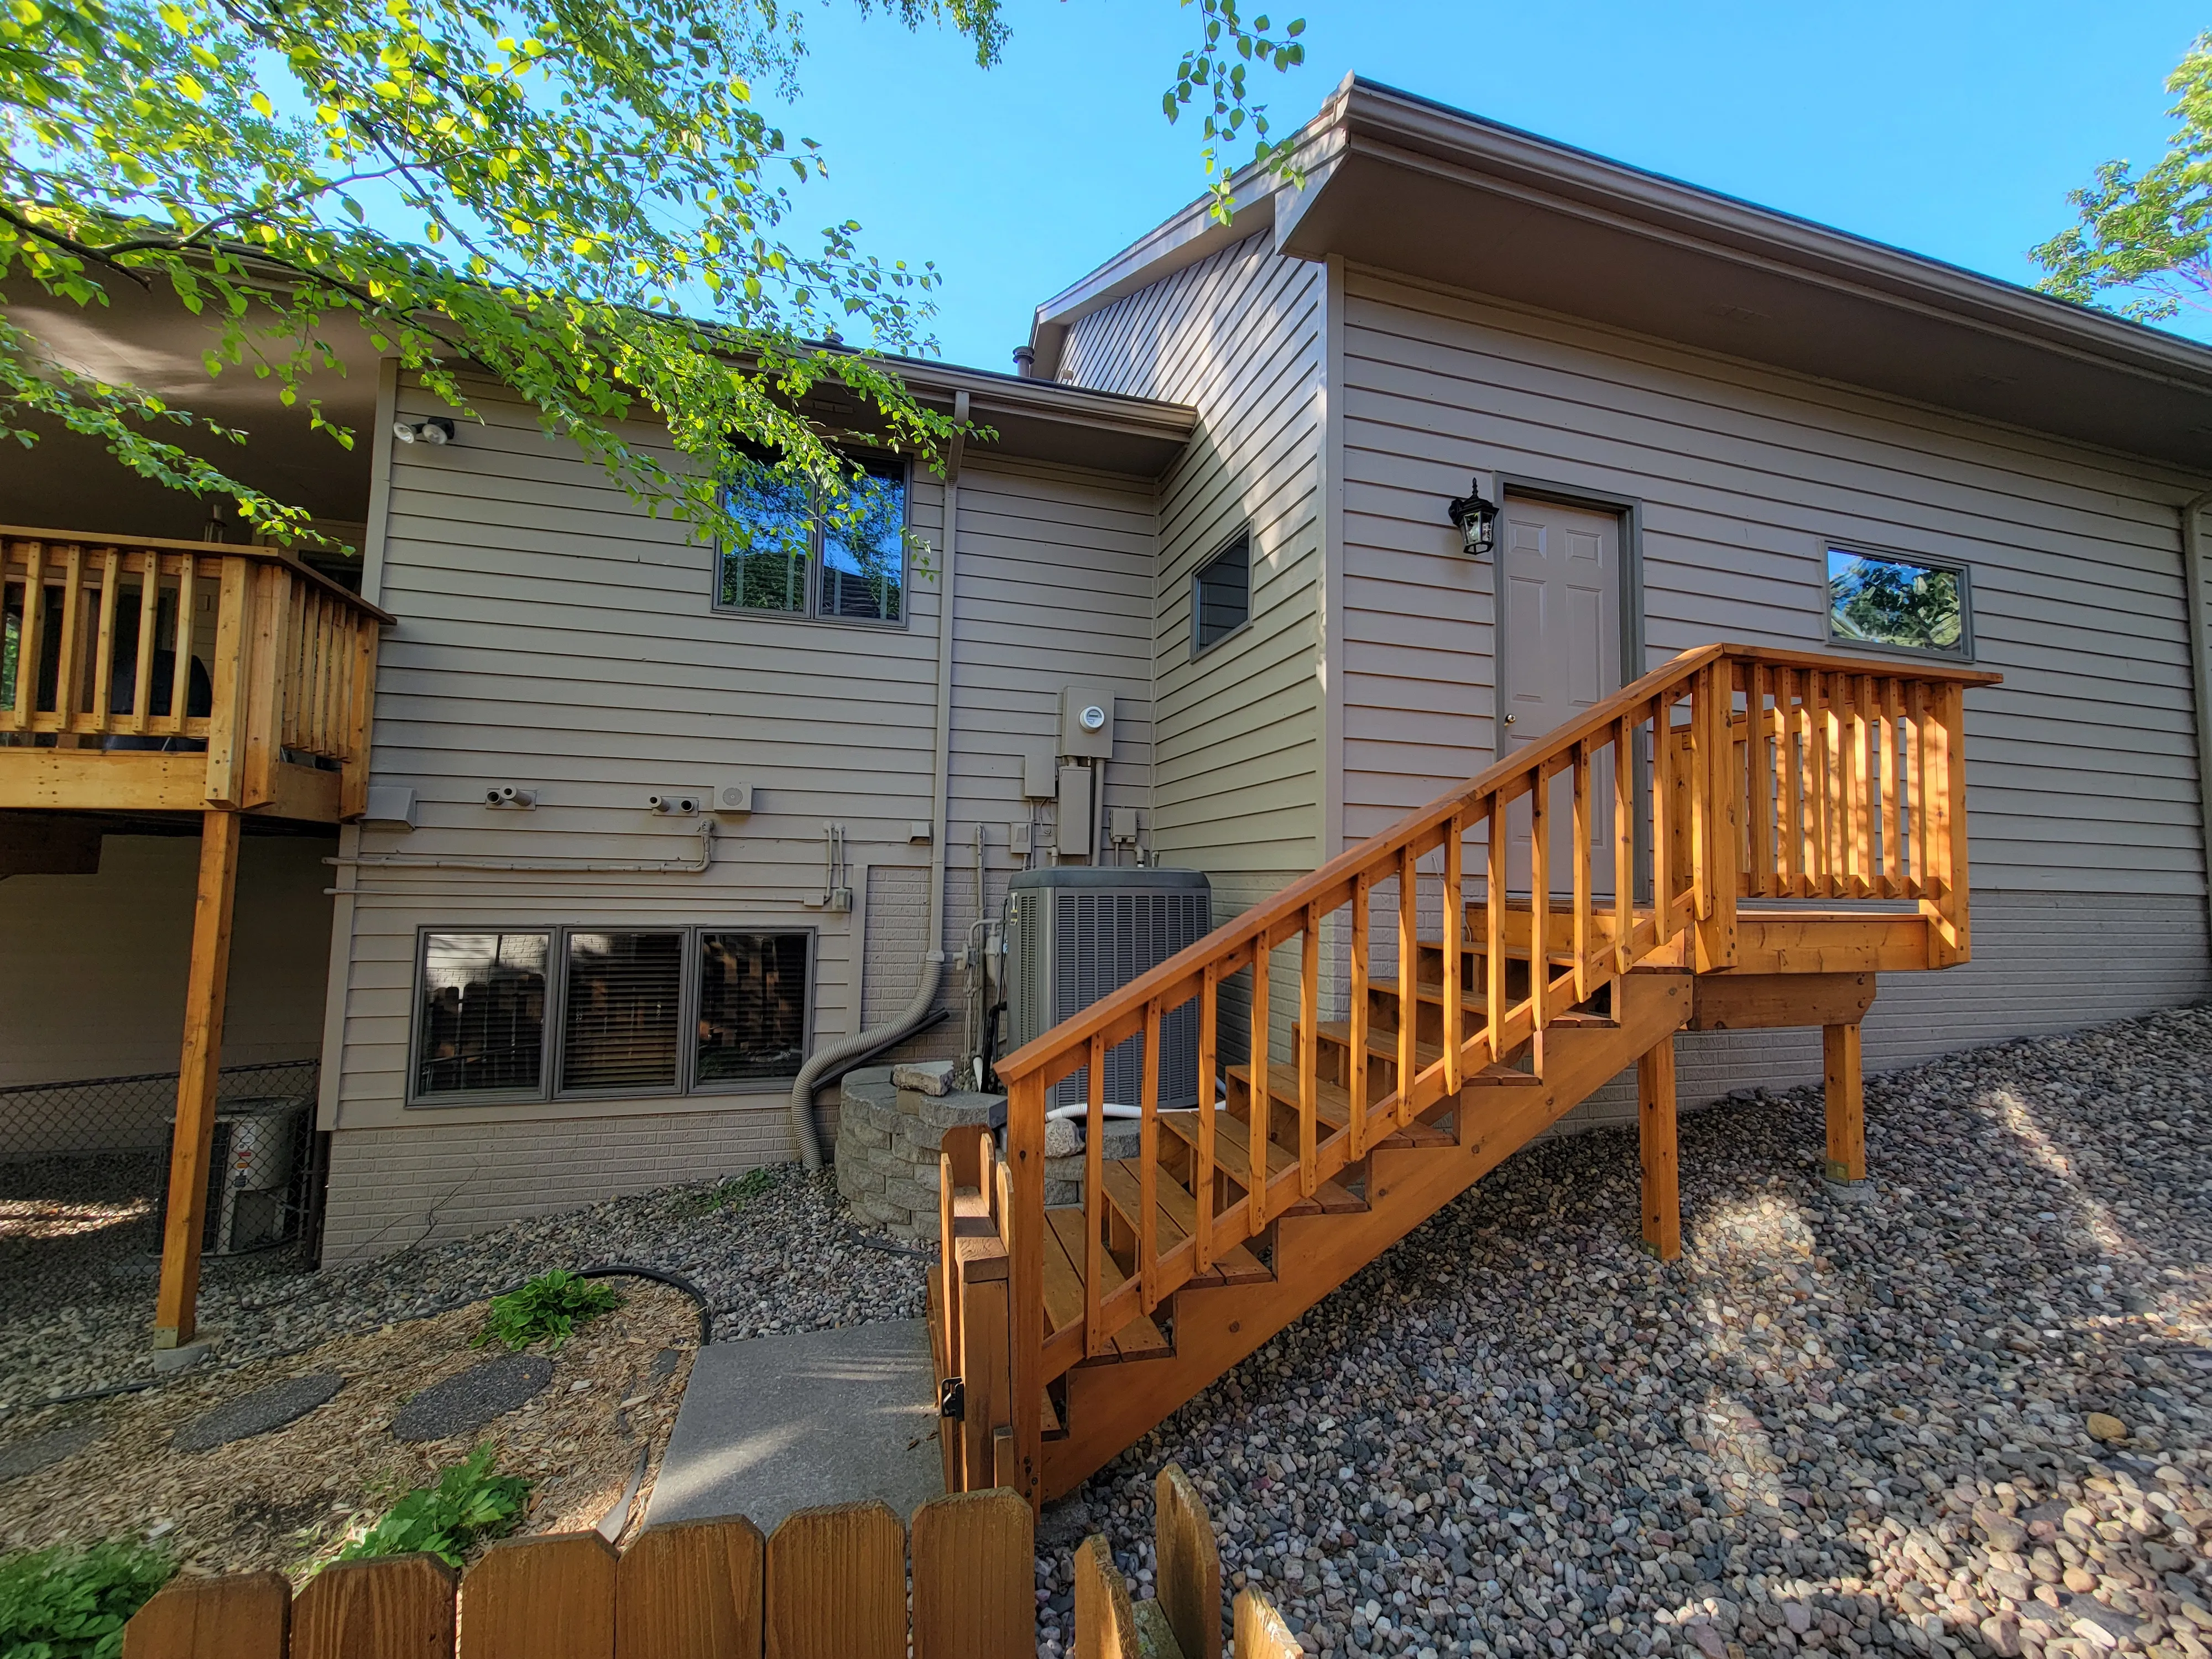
{"type": "Point", "coordinates": [1726, 773]}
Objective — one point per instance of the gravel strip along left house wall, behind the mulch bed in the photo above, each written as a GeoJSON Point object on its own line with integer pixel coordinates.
{"type": "Point", "coordinates": [773, 1251]}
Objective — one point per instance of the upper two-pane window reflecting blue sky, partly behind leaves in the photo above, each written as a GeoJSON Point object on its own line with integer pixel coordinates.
{"type": "Point", "coordinates": [806, 561]}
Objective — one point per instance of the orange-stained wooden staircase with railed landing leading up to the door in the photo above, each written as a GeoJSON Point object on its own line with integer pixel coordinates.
{"type": "Point", "coordinates": [1392, 1027]}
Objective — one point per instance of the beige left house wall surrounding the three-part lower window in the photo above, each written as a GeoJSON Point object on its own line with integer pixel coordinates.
{"type": "Point", "coordinates": [559, 638]}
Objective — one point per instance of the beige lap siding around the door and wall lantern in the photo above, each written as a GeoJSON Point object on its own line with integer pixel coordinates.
{"type": "Point", "coordinates": [2080, 766]}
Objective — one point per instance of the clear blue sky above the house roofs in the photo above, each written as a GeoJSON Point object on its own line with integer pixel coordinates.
{"type": "Point", "coordinates": [1941, 127]}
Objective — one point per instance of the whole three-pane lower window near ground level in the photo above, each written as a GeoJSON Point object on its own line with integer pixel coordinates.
{"type": "Point", "coordinates": [629, 1012]}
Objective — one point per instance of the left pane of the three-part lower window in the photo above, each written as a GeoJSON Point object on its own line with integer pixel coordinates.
{"type": "Point", "coordinates": [483, 1014]}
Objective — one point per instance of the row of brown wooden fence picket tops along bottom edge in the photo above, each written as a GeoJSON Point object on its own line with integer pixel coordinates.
{"type": "Point", "coordinates": [826, 1585]}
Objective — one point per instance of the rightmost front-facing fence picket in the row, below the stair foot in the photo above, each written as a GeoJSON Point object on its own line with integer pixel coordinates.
{"type": "Point", "coordinates": [974, 1572]}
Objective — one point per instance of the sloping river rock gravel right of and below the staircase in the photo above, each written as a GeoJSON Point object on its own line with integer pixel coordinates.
{"type": "Point", "coordinates": [1841, 1423]}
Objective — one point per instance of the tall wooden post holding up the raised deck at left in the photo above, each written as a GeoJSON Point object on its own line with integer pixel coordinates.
{"type": "Point", "coordinates": [196, 1078]}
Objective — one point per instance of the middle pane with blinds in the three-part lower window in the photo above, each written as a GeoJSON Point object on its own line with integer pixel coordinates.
{"type": "Point", "coordinates": [623, 1012]}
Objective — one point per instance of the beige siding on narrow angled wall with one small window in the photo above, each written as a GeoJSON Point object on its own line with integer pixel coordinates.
{"type": "Point", "coordinates": [1240, 742]}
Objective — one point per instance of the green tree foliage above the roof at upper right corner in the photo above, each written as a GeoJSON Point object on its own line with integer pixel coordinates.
{"type": "Point", "coordinates": [2140, 242]}
